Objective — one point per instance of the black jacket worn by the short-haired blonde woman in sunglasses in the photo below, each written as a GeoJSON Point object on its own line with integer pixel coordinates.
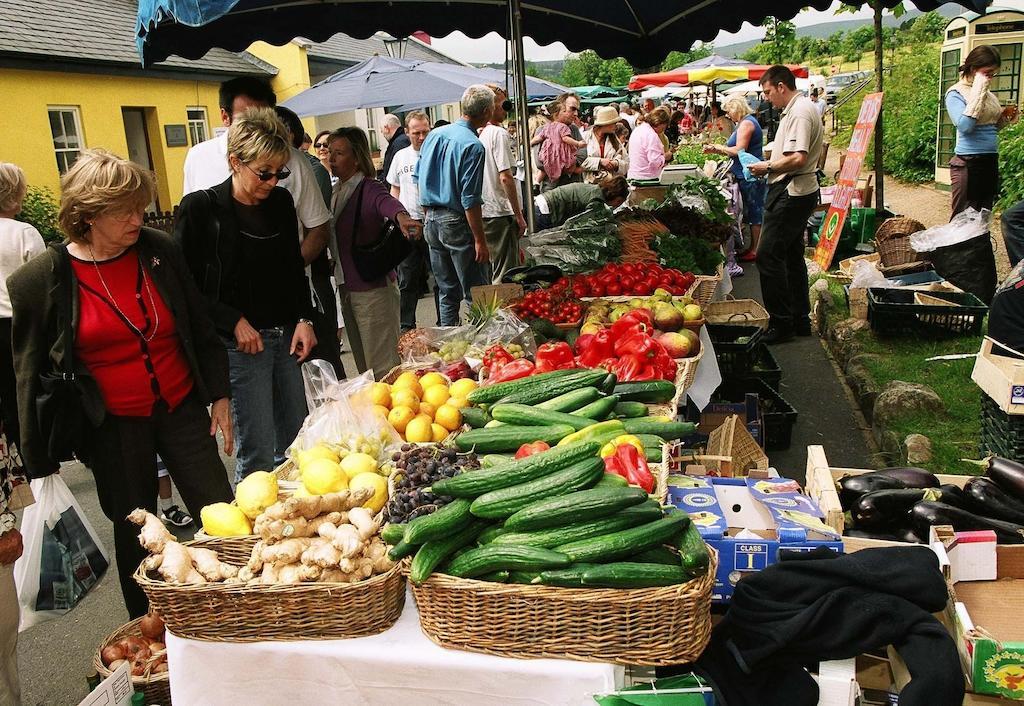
{"type": "Point", "coordinates": [208, 231]}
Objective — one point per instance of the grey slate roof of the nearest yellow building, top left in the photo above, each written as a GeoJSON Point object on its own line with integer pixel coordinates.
{"type": "Point", "coordinates": [99, 32]}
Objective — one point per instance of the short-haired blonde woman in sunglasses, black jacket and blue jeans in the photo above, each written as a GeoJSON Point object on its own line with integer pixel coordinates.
{"type": "Point", "coordinates": [241, 243]}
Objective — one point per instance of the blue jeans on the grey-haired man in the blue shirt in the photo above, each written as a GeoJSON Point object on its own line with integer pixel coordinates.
{"type": "Point", "coordinates": [453, 258]}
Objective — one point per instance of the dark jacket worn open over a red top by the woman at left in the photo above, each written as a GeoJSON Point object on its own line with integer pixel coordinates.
{"type": "Point", "coordinates": [39, 345]}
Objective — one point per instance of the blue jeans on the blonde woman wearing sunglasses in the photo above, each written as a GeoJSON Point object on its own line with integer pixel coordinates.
{"type": "Point", "coordinates": [269, 403]}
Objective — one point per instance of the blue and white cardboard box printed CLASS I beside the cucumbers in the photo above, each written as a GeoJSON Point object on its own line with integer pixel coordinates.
{"type": "Point", "coordinates": [749, 520]}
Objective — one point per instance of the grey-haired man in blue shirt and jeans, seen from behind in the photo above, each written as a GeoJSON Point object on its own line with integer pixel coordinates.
{"type": "Point", "coordinates": [450, 177]}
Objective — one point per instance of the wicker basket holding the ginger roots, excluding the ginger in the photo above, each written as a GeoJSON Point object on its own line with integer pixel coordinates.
{"type": "Point", "coordinates": [240, 613]}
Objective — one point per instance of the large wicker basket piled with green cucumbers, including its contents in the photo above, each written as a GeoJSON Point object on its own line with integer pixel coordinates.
{"type": "Point", "coordinates": [544, 558]}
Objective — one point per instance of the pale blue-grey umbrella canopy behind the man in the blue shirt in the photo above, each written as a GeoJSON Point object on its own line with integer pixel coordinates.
{"type": "Point", "coordinates": [381, 81]}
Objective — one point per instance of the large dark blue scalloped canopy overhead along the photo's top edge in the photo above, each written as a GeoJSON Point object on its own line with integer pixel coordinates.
{"type": "Point", "coordinates": [642, 31]}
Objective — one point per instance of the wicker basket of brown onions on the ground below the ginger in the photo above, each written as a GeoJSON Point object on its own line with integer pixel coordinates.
{"type": "Point", "coordinates": [141, 643]}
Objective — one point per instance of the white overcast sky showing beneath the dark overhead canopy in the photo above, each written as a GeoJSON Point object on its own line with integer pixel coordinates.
{"type": "Point", "coordinates": [491, 49]}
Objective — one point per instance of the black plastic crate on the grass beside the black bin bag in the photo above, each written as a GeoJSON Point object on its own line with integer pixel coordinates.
{"type": "Point", "coordinates": [894, 313]}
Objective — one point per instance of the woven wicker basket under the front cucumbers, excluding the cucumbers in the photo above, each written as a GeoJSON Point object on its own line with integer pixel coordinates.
{"type": "Point", "coordinates": [644, 627]}
